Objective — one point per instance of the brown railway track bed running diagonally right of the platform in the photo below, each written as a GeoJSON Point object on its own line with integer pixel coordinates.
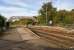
{"type": "Point", "coordinates": [61, 40]}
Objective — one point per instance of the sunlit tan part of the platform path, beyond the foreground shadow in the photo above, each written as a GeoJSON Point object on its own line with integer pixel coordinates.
{"type": "Point", "coordinates": [20, 34]}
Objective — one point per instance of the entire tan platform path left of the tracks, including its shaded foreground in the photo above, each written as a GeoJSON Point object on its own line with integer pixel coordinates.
{"type": "Point", "coordinates": [22, 39]}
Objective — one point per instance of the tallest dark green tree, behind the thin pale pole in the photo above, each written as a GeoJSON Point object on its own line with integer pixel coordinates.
{"type": "Point", "coordinates": [46, 13]}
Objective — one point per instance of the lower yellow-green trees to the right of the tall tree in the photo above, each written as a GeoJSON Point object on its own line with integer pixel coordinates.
{"type": "Point", "coordinates": [64, 17]}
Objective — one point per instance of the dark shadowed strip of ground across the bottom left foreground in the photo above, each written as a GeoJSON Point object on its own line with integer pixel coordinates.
{"type": "Point", "coordinates": [7, 45]}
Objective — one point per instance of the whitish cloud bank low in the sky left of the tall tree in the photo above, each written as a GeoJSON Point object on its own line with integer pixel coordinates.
{"type": "Point", "coordinates": [13, 11]}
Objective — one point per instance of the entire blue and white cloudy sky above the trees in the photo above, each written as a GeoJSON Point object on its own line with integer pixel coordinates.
{"type": "Point", "coordinates": [10, 8]}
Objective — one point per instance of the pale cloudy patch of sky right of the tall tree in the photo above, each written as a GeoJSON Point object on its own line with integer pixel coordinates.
{"type": "Point", "coordinates": [64, 4]}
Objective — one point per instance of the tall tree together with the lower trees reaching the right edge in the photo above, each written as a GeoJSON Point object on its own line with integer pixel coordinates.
{"type": "Point", "coordinates": [61, 17]}
